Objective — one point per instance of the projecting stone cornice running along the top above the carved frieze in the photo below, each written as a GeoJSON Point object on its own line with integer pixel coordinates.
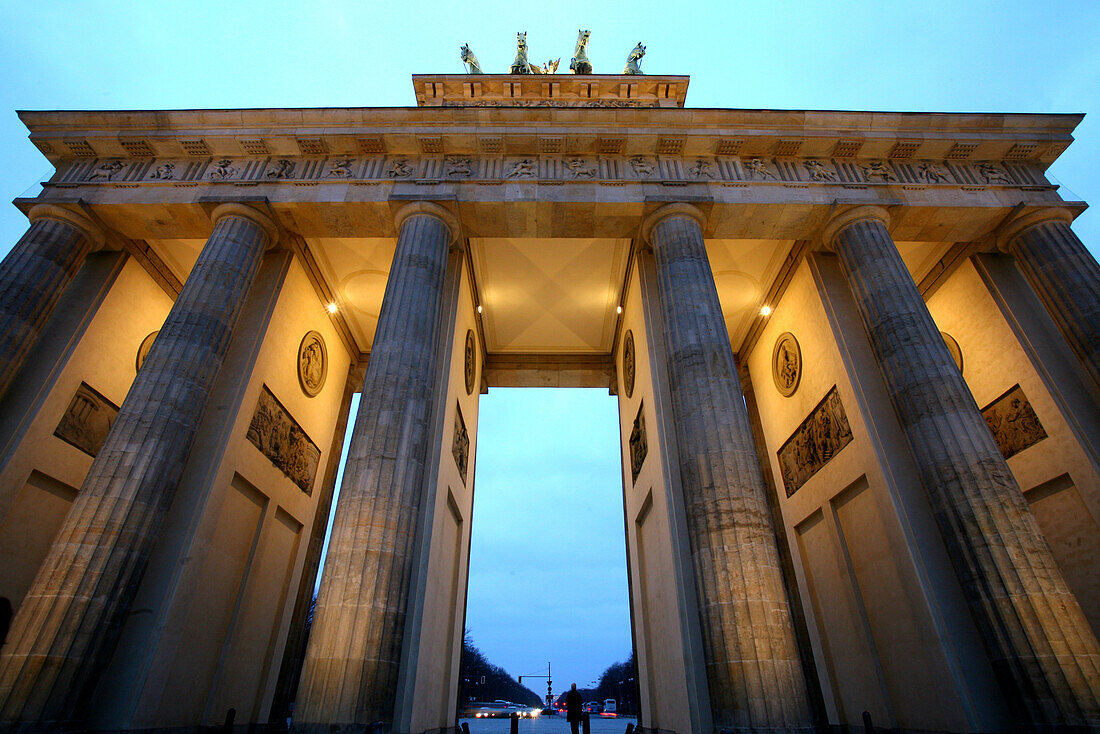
{"type": "Point", "coordinates": [64, 136]}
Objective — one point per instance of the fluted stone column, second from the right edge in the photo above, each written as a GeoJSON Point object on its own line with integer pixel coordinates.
{"type": "Point", "coordinates": [1039, 642]}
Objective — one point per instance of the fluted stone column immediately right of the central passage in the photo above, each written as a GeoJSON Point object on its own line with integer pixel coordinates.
{"type": "Point", "coordinates": [753, 666]}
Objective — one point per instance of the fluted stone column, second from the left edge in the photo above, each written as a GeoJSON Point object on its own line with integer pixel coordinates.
{"type": "Point", "coordinates": [65, 631]}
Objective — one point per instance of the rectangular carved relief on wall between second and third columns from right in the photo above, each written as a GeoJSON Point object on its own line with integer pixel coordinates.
{"type": "Point", "coordinates": [815, 443]}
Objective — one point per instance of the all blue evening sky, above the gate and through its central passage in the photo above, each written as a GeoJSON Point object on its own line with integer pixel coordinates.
{"type": "Point", "coordinates": [542, 587]}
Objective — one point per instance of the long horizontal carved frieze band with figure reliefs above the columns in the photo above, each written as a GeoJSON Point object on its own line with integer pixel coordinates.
{"type": "Point", "coordinates": [618, 168]}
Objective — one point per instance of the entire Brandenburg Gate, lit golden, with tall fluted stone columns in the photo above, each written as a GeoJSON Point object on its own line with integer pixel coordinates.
{"type": "Point", "coordinates": [856, 356]}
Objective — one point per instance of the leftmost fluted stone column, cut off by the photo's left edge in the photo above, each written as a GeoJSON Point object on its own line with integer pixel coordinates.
{"type": "Point", "coordinates": [35, 276]}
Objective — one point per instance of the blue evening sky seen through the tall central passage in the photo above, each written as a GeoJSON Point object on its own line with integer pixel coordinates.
{"type": "Point", "coordinates": [548, 578]}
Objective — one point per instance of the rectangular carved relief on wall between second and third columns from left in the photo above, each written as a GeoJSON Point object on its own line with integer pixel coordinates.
{"type": "Point", "coordinates": [279, 437]}
